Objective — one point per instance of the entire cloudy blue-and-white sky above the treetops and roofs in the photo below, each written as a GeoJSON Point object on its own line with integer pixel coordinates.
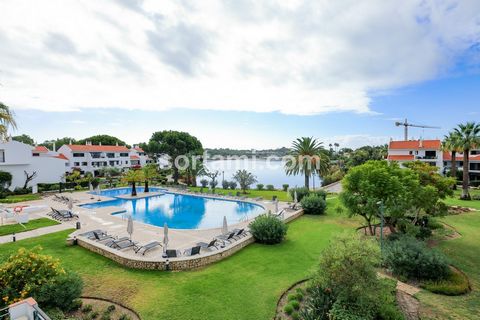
{"type": "Point", "coordinates": [240, 74]}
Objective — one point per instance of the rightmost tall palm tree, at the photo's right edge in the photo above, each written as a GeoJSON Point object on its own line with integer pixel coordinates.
{"type": "Point", "coordinates": [469, 138]}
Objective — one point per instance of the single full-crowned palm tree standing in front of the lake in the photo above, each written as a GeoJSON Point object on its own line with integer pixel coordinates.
{"type": "Point", "coordinates": [307, 157]}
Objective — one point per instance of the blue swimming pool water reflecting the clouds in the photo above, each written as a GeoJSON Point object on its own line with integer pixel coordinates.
{"type": "Point", "coordinates": [180, 211]}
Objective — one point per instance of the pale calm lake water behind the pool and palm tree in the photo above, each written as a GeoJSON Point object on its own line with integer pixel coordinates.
{"type": "Point", "coordinates": [272, 172]}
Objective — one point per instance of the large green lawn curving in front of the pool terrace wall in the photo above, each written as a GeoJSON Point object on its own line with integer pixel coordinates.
{"type": "Point", "coordinates": [243, 286]}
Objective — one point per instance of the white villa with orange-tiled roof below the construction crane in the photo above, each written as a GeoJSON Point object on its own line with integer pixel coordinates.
{"type": "Point", "coordinates": [430, 151]}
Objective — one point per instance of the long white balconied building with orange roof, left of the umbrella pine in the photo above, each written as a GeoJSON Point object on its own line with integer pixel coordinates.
{"type": "Point", "coordinates": [92, 158]}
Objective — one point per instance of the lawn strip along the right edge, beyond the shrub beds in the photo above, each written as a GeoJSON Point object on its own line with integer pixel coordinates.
{"type": "Point", "coordinates": [464, 253]}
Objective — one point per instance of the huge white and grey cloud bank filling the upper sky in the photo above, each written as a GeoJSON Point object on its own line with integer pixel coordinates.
{"type": "Point", "coordinates": [296, 57]}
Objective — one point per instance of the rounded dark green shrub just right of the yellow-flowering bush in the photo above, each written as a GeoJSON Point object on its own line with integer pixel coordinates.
{"type": "Point", "coordinates": [61, 292]}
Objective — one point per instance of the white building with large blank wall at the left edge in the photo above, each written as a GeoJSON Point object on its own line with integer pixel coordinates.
{"type": "Point", "coordinates": [18, 158]}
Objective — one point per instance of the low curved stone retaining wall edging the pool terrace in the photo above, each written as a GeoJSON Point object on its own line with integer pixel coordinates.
{"type": "Point", "coordinates": [172, 264]}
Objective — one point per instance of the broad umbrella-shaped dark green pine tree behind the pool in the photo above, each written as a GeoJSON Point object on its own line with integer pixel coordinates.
{"type": "Point", "coordinates": [174, 144]}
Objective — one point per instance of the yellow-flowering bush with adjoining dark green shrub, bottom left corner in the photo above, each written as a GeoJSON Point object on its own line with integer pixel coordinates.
{"type": "Point", "coordinates": [30, 273]}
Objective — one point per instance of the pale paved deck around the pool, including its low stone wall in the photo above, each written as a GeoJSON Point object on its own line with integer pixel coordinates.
{"type": "Point", "coordinates": [116, 225]}
